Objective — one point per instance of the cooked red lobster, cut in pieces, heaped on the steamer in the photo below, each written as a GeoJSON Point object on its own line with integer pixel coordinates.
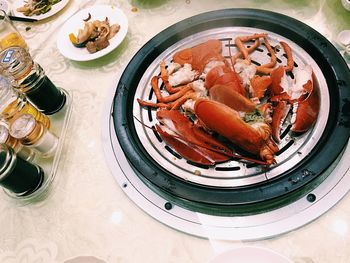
{"type": "Point", "coordinates": [226, 106]}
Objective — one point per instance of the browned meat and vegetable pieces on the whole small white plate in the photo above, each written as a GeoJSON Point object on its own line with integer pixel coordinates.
{"type": "Point", "coordinates": [95, 35]}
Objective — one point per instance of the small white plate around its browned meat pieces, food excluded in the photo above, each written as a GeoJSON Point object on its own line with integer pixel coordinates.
{"type": "Point", "coordinates": [76, 22]}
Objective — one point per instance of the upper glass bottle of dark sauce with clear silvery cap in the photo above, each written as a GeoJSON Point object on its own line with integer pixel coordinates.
{"type": "Point", "coordinates": [29, 77]}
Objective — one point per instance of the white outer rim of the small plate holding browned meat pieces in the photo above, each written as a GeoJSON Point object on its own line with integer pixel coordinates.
{"type": "Point", "coordinates": [89, 57]}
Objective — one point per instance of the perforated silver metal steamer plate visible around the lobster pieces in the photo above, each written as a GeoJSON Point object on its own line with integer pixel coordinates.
{"type": "Point", "coordinates": [233, 173]}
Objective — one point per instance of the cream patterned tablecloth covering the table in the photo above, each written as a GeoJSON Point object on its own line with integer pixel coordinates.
{"type": "Point", "coordinates": [87, 217]}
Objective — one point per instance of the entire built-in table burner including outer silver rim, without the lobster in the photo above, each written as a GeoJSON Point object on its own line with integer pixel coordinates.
{"type": "Point", "coordinates": [233, 200]}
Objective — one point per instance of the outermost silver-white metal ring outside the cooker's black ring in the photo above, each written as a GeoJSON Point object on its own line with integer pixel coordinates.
{"type": "Point", "coordinates": [252, 227]}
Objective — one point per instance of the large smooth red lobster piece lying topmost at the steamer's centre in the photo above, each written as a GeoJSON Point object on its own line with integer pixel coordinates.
{"type": "Point", "coordinates": [228, 123]}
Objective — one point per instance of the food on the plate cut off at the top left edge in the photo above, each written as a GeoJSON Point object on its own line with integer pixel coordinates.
{"type": "Point", "coordinates": [37, 7]}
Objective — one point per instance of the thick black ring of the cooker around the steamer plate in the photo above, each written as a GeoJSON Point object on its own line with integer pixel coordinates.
{"type": "Point", "coordinates": [301, 179]}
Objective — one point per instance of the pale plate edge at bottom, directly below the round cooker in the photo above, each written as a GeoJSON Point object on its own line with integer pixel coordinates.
{"type": "Point", "coordinates": [249, 255]}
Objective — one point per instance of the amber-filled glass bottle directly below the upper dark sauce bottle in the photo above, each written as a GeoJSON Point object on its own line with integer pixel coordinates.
{"type": "Point", "coordinates": [13, 103]}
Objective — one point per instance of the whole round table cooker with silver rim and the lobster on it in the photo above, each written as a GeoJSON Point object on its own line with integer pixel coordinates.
{"type": "Point", "coordinates": [232, 124]}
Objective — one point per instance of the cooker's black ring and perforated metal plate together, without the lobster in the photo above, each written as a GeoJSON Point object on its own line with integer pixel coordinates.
{"type": "Point", "coordinates": [235, 188]}
